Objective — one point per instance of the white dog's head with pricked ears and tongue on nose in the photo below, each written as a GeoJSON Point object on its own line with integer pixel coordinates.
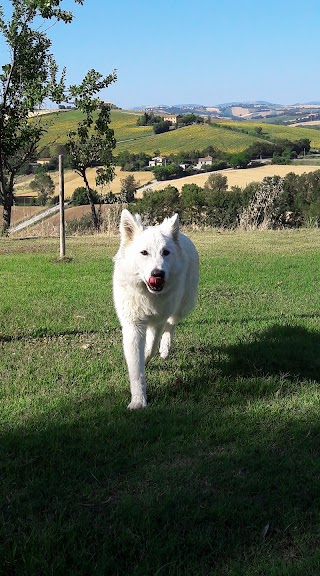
{"type": "Point", "coordinates": [149, 253]}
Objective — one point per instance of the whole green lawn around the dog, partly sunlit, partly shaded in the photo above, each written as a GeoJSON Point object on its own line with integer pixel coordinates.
{"type": "Point", "coordinates": [220, 475]}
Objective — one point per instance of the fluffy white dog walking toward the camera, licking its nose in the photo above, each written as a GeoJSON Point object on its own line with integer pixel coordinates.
{"type": "Point", "coordinates": [155, 283]}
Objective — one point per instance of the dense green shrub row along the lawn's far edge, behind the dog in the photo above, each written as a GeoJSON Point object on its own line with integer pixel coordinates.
{"type": "Point", "coordinates": [275, 202]}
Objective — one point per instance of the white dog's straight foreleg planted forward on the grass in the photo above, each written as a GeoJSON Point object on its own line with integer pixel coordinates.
{"type": "Point", "coordinates": [134, 338]}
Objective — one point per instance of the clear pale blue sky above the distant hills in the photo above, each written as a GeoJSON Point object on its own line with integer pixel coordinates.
{"type": "Point", "coordinates": [209, 52]}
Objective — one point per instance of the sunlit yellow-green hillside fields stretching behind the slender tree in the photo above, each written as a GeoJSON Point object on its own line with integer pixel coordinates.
{"type": "Point", "coordinates": [227, 136]}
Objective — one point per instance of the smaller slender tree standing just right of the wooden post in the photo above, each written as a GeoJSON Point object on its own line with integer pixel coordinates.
{"type": "Point", "coordinates": [93, 141]}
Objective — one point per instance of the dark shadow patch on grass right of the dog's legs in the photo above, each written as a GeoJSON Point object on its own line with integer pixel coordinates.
{"type": "Point", "coordinates": [281, 354]}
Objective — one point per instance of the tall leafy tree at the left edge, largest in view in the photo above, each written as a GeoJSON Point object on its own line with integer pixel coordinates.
{"type": "Point", "coordinates": [28, 78]}
